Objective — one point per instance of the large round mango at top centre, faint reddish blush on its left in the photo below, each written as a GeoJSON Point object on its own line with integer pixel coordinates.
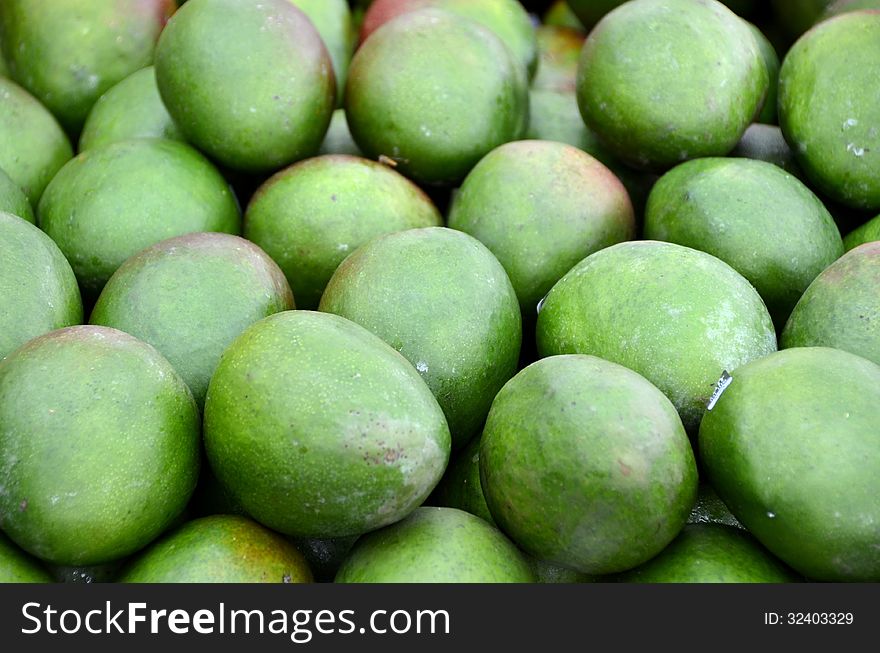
{"type": "Point", "coordinates": [435, 93]}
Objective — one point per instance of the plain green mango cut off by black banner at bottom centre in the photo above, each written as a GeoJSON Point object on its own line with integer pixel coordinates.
{"type": "Point", "coordinates": [436, 545]}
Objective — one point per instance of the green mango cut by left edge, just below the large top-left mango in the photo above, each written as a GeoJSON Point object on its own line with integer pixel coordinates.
{"type": "Point", "coordinates": [32, 146]}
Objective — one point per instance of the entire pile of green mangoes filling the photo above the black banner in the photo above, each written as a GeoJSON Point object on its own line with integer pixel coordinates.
{"type": "Point", "coordinates": [440, 291]}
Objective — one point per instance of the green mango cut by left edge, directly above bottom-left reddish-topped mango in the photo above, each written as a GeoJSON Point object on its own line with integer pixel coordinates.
{"type": "Point", "coordinates": [38, 287]}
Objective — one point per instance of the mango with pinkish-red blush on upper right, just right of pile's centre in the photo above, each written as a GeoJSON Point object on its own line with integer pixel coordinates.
{"type": "Point", "coordinates": [541, 207]}
